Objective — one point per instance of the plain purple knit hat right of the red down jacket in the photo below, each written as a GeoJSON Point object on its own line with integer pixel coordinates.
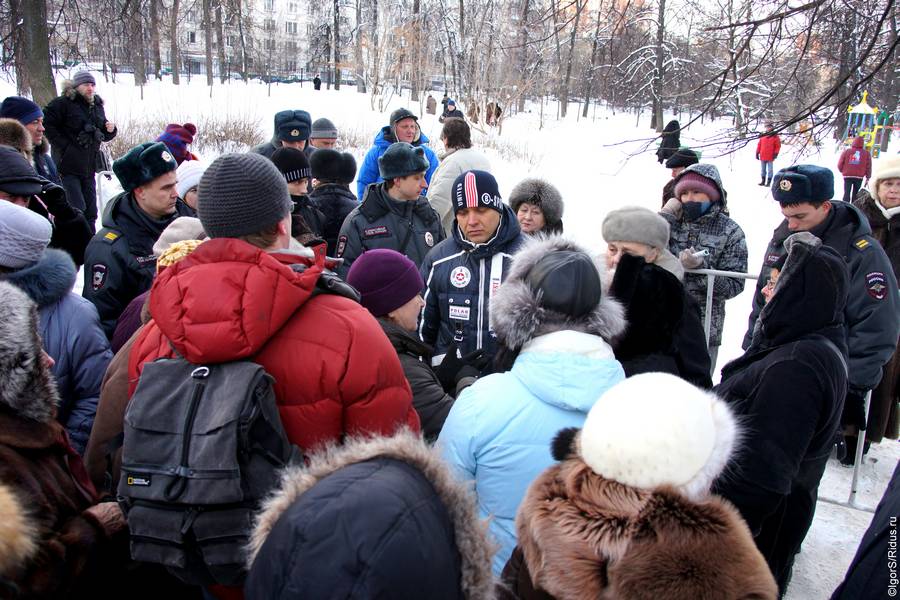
{"type": "Point", "coordinates": [385, 279]}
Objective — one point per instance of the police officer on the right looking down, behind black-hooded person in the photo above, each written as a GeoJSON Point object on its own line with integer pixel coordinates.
{"type": "Point", "coordinates": [872, 313]}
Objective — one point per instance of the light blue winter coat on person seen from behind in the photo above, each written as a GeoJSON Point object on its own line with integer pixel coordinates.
{"type": "Point", "coordinates": [499, 431]}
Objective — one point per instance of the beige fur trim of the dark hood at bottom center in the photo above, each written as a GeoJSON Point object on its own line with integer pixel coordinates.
{"type": "Point", "coordinates": [471, 534]}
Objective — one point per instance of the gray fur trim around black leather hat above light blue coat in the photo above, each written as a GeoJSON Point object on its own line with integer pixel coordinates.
{"type": "Point", "coordinates": [516, 313]}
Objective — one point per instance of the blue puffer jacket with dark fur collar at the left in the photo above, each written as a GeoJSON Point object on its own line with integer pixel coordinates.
{"type": "Point", "coordinates": [72, 336]}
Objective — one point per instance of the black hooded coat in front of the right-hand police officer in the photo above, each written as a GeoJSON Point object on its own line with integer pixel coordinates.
{"type": "Point", "coordinates": [788, 391]}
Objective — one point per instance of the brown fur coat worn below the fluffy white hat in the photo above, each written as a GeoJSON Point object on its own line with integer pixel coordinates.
{"type": "Point", "coordinates": [584, 536]}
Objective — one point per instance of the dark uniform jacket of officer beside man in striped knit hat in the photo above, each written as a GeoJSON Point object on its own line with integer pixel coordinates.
{"type": "Point", "coordinates": [412, 228]}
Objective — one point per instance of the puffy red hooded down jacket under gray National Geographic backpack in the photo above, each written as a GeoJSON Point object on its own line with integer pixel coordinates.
{"type": "Point", "coordinates": [335, 372]}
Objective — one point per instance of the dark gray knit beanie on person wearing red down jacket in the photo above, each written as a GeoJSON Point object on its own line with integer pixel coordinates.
{"type": "Point", "coordinates": [241, 194]}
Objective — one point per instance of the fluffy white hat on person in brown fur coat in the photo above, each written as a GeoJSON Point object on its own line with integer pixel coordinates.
{"type": "Point", "coordinates": [656, 429]}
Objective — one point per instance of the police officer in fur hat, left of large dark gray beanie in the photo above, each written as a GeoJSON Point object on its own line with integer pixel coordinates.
{"type": "Point", "coordinates": [119, 261]}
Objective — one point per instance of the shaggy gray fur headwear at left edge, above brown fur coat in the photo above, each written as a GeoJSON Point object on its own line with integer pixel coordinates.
{"type": "Point", "coordinates": [26, 385]}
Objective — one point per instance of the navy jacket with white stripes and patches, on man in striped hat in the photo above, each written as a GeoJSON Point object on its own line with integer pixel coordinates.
{"type": "Point", "coordinates": [458, 278]}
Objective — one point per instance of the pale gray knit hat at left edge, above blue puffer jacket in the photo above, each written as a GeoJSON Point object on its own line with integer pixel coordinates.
{"type": "Point", "coordinates": [24, 236]}
